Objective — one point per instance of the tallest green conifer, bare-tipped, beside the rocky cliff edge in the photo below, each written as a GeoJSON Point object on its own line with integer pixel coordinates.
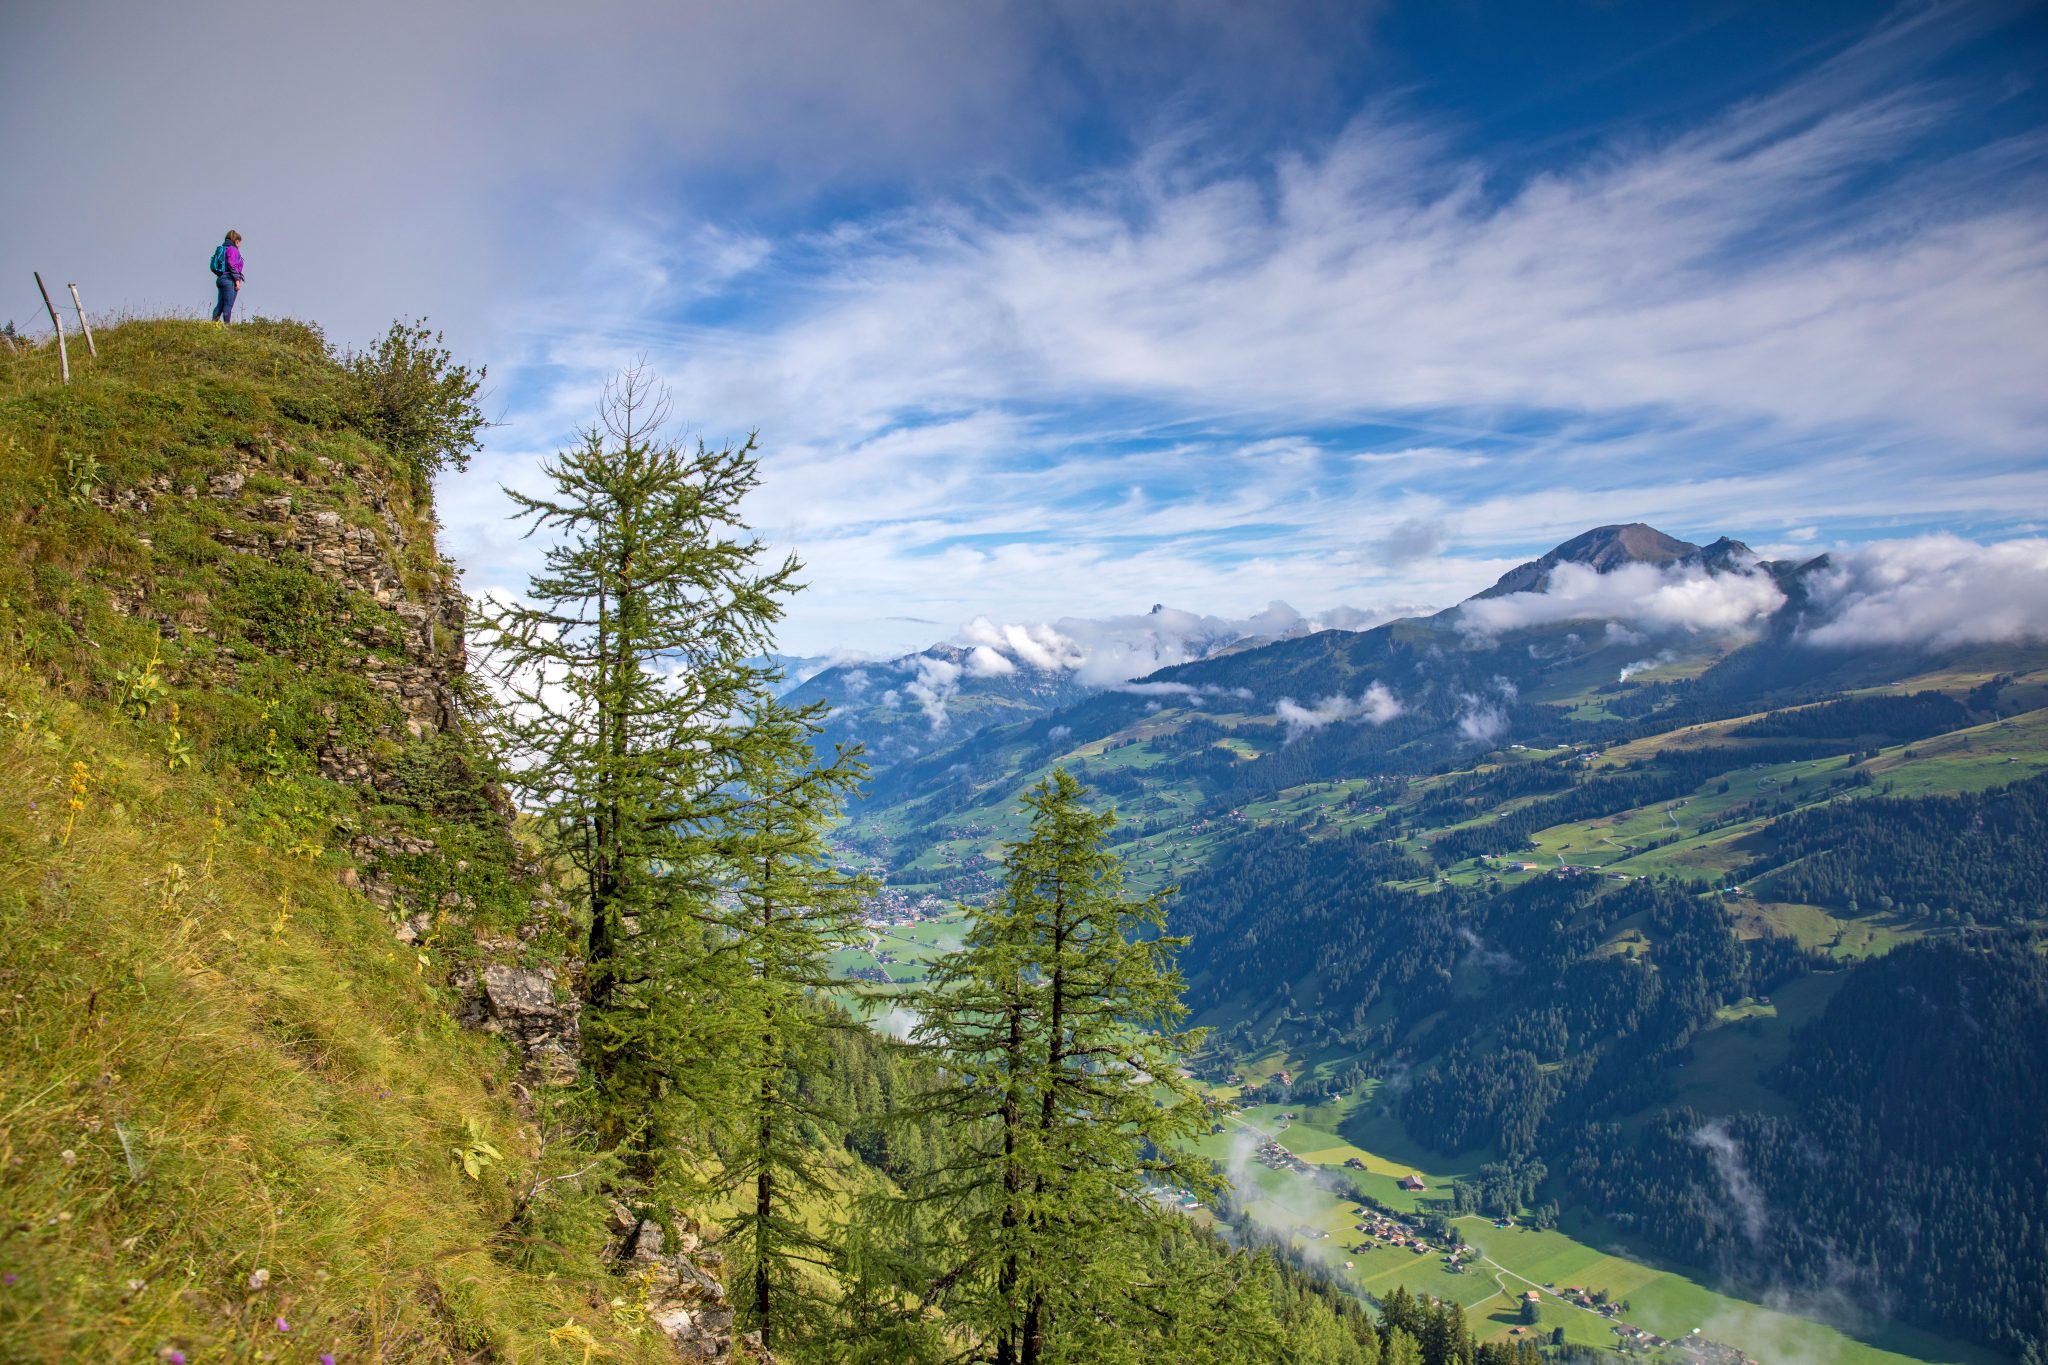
{"type": "Point", "coordinates": [630, 672]}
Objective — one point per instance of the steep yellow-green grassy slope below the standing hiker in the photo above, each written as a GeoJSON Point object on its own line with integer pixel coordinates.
{"type": "Point", "coordinates": [232, 1104]}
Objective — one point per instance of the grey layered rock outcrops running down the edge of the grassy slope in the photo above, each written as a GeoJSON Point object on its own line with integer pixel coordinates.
{"type": "Point", "coordinates": [376, 547]}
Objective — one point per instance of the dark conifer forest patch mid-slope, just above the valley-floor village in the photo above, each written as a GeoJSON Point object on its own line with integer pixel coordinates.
{"type": "Point", "coordinates": [1539, 1026]}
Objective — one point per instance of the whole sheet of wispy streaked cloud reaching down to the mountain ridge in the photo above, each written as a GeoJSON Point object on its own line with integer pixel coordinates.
{"type": "Point", "coordinates": [1388, 365]}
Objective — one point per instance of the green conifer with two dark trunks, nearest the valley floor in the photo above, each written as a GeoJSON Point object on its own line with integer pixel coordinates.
{"type": "Point", "coordinates": [1060, 1024]}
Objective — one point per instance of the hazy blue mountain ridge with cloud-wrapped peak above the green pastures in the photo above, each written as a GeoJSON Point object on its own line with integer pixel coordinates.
{"type": "Point", "coordinates": [1611, 607]}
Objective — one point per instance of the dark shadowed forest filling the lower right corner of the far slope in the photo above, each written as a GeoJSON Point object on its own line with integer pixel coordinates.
{"type": "Point", "coordinates": [1914, 1174]}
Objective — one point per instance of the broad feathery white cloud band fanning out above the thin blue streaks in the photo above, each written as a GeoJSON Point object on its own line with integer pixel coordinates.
{"type": "Point", "coordinates": [1623, 281]}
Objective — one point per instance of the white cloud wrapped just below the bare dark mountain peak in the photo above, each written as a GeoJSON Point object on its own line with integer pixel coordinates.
{"type": "Point", "coordinates": [1644, 597]}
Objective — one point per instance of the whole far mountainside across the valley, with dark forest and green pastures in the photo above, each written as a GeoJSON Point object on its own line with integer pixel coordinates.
{"type": "Point", "coordinates": [1605, 912]}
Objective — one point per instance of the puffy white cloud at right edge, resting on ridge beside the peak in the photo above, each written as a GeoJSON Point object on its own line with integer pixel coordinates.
{"type": "Point", "coordinates": [1934, 592]}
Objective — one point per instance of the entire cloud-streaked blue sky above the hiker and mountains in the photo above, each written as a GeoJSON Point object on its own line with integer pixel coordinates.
{"type": "Point", "coordinates": [1060, 310]}
